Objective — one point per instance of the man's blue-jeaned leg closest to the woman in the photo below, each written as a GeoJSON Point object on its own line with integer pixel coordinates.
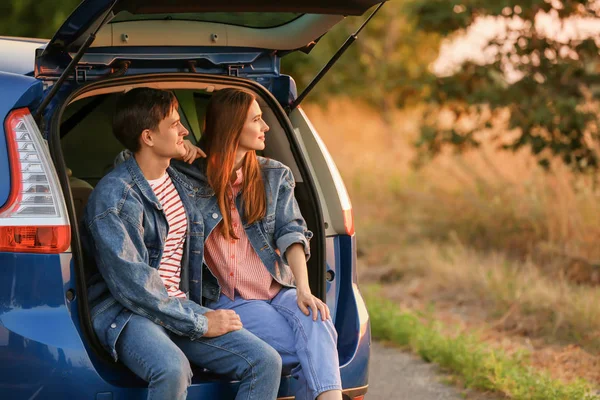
{"type": "Point", "coordinates": [240, 355]}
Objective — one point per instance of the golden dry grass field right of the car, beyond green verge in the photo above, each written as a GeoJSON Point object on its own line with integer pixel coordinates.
{"type": "Point", "coordinates": [487, 234]}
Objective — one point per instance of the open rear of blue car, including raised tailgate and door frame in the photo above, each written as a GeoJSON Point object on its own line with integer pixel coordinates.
{"type": "Point", "coordinates": [108, 46]}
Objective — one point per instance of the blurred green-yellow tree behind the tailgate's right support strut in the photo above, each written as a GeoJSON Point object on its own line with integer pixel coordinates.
{"type": "Point", "coordinates": [387, 66]}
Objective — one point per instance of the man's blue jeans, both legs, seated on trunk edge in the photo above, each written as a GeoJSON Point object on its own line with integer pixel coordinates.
{"type": "Point", "coordinates": [161, 359]}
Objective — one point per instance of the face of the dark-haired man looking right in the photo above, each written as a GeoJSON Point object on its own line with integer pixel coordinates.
{"type": "Point", "coordinates": [168, 137]}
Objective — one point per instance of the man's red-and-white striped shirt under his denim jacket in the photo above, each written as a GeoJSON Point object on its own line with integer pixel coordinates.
{"type": "Point", "coordinates": [170, 263]}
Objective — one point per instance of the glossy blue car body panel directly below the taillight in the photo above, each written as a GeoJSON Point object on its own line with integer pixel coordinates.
{"type": "Point", "coordinates": [42, 354]}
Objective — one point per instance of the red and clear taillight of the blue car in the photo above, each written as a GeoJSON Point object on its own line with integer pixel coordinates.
{"type": "Point", "coordinates": [34, 218]}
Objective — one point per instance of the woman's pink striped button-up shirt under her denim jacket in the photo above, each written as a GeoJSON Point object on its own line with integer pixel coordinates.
{"type": "Point", "coordinates": [234, 263]}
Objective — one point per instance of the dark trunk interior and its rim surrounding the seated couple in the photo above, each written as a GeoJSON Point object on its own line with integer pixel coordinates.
{"type": "Point", "coordinates": [84, 150]}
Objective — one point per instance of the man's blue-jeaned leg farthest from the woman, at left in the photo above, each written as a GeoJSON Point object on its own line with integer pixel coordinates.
{"type": "Point", "coordinates": [146, 349]}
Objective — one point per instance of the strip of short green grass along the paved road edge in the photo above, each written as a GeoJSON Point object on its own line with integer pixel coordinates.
{"type": "Point", "coordinates": [471, 360]}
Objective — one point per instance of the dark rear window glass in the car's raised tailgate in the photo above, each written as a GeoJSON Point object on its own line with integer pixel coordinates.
{"type": "Point", "coordinates": [247, 19]}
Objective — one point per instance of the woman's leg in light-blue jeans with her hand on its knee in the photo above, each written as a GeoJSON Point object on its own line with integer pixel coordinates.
{"type": "Point", "coordinates": [316, 347]}
